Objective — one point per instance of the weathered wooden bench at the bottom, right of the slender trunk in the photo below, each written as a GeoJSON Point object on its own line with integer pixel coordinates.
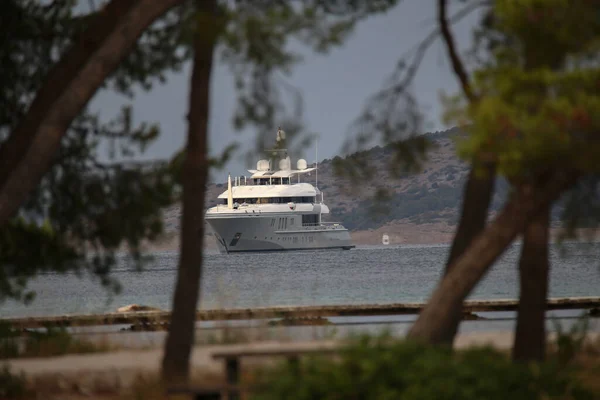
{"type": "Point", "coordinates": [232, 362]}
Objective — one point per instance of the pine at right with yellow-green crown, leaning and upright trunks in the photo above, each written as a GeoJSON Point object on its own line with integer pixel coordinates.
{"type": "Point", "coordinates": [535, 119]}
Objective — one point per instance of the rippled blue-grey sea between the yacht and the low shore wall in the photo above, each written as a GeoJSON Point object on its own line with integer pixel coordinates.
{"type": "Point", "coordinates": [363, 275]}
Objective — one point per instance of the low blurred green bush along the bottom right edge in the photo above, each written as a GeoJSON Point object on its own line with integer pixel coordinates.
{"type": "Point", "coordinates": [384, 368]}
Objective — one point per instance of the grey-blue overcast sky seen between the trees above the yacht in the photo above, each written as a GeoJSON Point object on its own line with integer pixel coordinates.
{"type": "Point", "coordinates": [334, 86]}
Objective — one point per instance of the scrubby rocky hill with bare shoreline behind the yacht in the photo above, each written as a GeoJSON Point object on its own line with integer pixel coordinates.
{"type": "Point", "coordinates": [420, 207]}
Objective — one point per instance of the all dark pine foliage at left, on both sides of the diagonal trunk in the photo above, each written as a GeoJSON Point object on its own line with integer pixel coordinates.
{"type": "Point", "coordinates": [82, 203]}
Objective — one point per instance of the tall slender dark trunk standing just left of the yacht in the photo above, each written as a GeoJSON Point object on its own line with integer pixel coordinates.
{"type": "Point", "coordinates": [176, 360]}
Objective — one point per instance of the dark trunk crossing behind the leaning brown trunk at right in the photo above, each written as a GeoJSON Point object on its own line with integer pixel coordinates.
{"type": "Point", "coordinates": [476, 202]}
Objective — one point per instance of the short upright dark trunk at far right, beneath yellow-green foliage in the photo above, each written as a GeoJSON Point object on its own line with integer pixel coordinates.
{"type": "Point", "coordinates": [530, 333]}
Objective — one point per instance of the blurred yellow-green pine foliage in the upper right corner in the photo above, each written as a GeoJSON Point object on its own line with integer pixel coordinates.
{"type": "Point", "coordinates": [538, 107]}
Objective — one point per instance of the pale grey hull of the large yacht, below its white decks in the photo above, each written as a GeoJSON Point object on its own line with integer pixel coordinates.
{"type": "Point", "coordinates": [257, 233]}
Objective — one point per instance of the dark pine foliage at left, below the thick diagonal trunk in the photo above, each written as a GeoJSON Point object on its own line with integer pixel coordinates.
{"type": "Point", "coordinates": [85, 206]}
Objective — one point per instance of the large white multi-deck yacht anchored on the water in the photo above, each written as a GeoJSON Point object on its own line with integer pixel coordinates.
{"type": "Point", "coordinates": [272, 210]}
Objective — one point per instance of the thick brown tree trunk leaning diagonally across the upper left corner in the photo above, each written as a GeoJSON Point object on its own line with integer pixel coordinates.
{"type": "Point", "coordinates": [60, 113]}
